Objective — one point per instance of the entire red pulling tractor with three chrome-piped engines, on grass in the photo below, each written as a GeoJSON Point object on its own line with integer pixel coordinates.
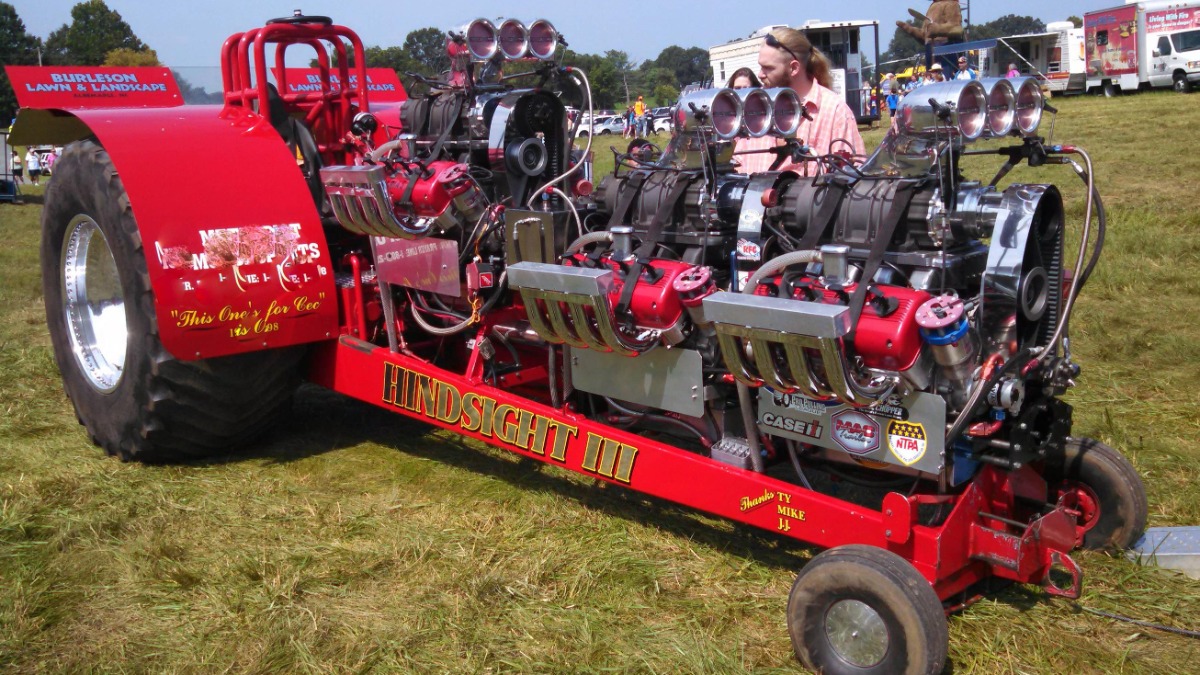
{"type": "Point", "coordinates": [733, 343]}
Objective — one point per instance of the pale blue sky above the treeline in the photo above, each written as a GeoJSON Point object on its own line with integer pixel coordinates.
{"type": "Point", "coordinates": [190, 34]}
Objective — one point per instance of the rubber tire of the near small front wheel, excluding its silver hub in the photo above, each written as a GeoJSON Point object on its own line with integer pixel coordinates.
{"type": "Point", "coordinates": [916, 619]}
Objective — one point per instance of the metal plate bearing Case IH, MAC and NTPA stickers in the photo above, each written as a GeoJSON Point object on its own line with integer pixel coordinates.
{"type": "Point", "coordinates": [909, 432]}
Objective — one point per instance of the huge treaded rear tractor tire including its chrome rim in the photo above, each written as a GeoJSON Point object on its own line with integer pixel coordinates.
{"type": "Point", "coordinates": [136, 399]}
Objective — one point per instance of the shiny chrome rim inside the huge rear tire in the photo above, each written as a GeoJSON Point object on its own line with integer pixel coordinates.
{"type": "Point", "coordinates": [94, 304]}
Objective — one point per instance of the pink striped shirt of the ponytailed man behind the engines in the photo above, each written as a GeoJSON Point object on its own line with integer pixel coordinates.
{"type": "Point", "coordinates": [833, 129]}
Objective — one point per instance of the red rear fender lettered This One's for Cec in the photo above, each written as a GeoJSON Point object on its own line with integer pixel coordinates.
{"type": "Point", "coordinates": [235, 246]}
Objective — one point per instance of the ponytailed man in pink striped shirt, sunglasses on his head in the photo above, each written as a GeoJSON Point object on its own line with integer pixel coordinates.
{"type": "Point", "coordinates": [789, 59]}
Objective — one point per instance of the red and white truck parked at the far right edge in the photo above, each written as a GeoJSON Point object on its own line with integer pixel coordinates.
{"type": "Point", "coordinates": [1143, 45]}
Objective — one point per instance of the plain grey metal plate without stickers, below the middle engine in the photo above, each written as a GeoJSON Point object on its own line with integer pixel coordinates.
{"type": "Point", "coordinates": [671, 380]}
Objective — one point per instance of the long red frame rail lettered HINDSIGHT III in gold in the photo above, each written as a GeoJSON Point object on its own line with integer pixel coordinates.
{"type": "Point", "coordinates": [986, 535]}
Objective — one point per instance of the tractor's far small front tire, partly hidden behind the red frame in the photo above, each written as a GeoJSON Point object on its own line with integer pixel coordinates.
{"type": "Point", "coordinates": [1113, 485]}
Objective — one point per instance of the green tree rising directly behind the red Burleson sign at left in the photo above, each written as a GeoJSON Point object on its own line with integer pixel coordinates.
{"type": "Point", "coordinates": [94, 32]}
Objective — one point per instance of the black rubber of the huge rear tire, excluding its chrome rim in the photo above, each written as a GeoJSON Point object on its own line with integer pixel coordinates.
{"type": "Point", "coordinates": [164, 409]}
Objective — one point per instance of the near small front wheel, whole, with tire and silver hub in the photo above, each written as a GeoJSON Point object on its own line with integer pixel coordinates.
{"type": "Point", "coordinates": [866, 611]}
